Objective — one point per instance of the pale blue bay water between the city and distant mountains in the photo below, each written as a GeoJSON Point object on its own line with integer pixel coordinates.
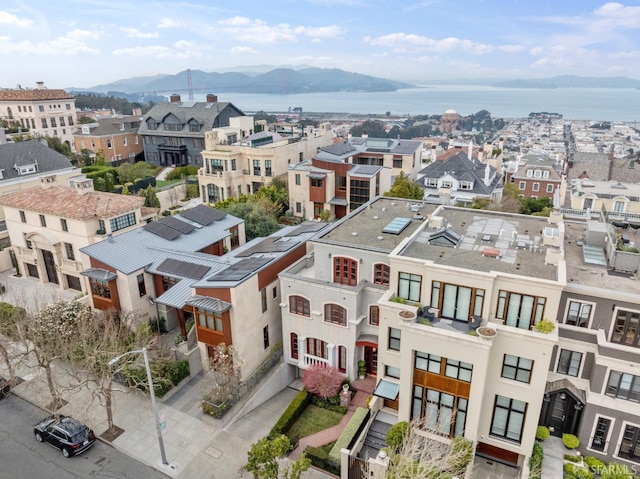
{"type": "Point", "coordinates": [573, 103]}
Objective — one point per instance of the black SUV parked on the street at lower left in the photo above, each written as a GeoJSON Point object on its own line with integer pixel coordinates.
{"type": "Point", "coordinates": [65, 433]}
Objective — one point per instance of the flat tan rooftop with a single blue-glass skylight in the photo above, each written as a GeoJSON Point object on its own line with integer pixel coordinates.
{"type": "Point", "coordinates": [364, 228]}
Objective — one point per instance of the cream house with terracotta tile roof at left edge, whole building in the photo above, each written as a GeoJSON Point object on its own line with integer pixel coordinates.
{"type": "Point", "coordinates": [49, 225]}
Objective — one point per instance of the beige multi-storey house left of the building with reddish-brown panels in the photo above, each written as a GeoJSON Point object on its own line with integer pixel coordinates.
{"type": "Point", "coordinates": [235, 164]}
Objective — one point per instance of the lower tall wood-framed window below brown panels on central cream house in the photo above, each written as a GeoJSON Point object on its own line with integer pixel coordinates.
{"type": "Point", "coordinates": [443, 413]}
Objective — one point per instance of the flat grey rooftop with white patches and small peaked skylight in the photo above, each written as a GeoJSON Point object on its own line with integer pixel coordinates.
{"type": "Point", "coordinates": [485, 241]}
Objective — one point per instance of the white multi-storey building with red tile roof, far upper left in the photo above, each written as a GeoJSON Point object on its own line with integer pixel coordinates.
{"type": "Point", "coordinates": [40, 111]}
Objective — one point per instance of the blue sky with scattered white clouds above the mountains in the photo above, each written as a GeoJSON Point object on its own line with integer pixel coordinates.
{"type": "Point", "coordinates": [83, 43]}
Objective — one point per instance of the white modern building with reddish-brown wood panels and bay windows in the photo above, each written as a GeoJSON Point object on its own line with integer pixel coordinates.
{"type": "Point", "coordinates": [343, 176]}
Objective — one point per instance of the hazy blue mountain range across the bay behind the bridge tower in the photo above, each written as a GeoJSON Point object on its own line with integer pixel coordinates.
{"type": "Point", "coordinates": [278, 81]}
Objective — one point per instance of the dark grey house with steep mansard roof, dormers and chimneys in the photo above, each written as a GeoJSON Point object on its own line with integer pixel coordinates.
{"type": "Point", "coordinates": [173, 133]}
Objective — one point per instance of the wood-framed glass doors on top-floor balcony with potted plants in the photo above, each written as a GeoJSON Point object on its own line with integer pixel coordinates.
{"type": "Point", "coordinates": [456, 302]}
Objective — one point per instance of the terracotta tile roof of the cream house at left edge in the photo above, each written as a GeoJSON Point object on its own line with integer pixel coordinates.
{"type": "Point", "coordinates": [69, 203]}
